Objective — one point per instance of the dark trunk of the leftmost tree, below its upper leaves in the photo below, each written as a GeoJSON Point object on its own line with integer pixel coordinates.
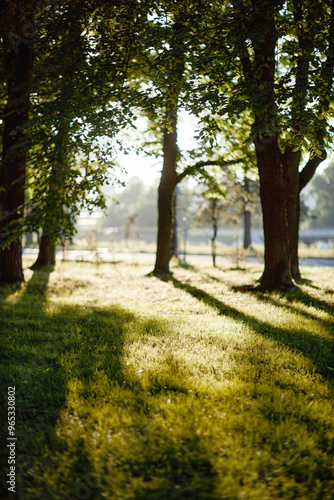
{"type": "Point", "coordinates": [18, 67]}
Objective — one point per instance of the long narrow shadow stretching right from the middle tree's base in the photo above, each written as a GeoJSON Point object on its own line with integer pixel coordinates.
{"type": "Point", "coordinates": [319, 350]}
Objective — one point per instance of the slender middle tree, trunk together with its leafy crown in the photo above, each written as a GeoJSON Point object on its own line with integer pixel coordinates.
{"type": "Point", "coordinates": [160, 75]}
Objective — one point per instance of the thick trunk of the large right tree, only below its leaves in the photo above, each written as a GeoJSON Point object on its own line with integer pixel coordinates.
{"type": "Point", "coordinates": [277, 271]}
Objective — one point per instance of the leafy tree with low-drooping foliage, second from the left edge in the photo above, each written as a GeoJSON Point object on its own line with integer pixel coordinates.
{"type": "Point", "coordinates": [71, 130]}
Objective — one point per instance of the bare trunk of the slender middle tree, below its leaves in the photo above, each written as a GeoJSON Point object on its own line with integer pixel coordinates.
{"type": "Point", "coordinates": [167, 186]}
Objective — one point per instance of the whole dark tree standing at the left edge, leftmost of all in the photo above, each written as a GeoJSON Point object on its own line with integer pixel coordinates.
{"type": "Point", "coordinates": [18, 58]}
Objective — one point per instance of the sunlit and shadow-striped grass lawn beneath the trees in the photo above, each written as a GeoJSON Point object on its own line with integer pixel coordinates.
{"type": "Point", "coordinates": [131, 387]}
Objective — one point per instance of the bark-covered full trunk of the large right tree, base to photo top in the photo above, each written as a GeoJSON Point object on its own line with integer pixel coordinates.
{"type": "Point", "coordinates": [277, 270]}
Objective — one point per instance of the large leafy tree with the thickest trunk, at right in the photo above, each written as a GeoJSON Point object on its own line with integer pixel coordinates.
{"type": "Point", "coordinates": [289, 102]}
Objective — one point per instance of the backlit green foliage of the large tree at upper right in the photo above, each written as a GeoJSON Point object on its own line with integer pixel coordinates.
{"type": "Point", "coordinates": [299, 102]}
